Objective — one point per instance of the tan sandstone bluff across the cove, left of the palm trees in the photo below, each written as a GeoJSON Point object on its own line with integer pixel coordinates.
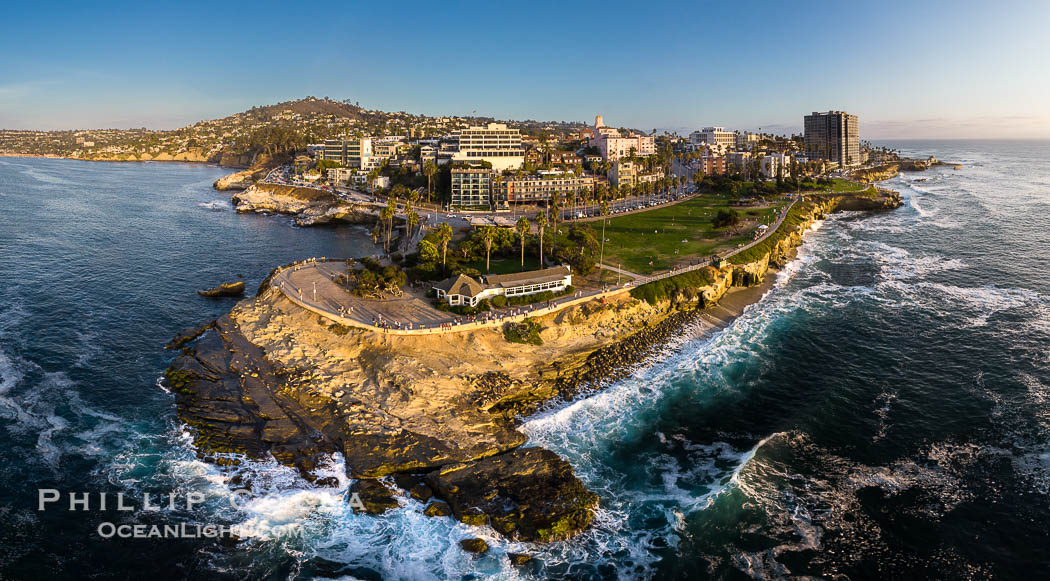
{"type": "Point", "coordinates": [310, 206]}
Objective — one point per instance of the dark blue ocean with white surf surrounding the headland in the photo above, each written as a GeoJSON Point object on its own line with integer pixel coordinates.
{"type": "Point", "coordinates": [883, 412]}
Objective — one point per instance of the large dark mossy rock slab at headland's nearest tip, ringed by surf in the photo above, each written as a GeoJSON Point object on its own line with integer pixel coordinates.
{"type": "Point", "coordinates": [529, 494]}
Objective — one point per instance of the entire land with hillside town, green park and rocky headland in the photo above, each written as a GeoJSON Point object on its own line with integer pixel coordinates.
{"type": "Point", "coordinates": [512, 265]}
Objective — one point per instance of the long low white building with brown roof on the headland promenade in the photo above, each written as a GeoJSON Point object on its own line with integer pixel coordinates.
{"type": "Point", "coordinates": [465, 290]}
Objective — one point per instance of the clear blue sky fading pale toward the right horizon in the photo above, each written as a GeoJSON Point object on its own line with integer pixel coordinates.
{"type": "Point", "coordinates": [909, 70]}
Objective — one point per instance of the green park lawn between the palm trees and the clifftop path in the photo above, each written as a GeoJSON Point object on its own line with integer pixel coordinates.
{"type": "Point", "coordinates": [637, 240]}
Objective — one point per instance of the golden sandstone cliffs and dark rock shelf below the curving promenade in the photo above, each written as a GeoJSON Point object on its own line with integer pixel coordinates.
{"type": "Point", "coordinates": [270, 379]}
